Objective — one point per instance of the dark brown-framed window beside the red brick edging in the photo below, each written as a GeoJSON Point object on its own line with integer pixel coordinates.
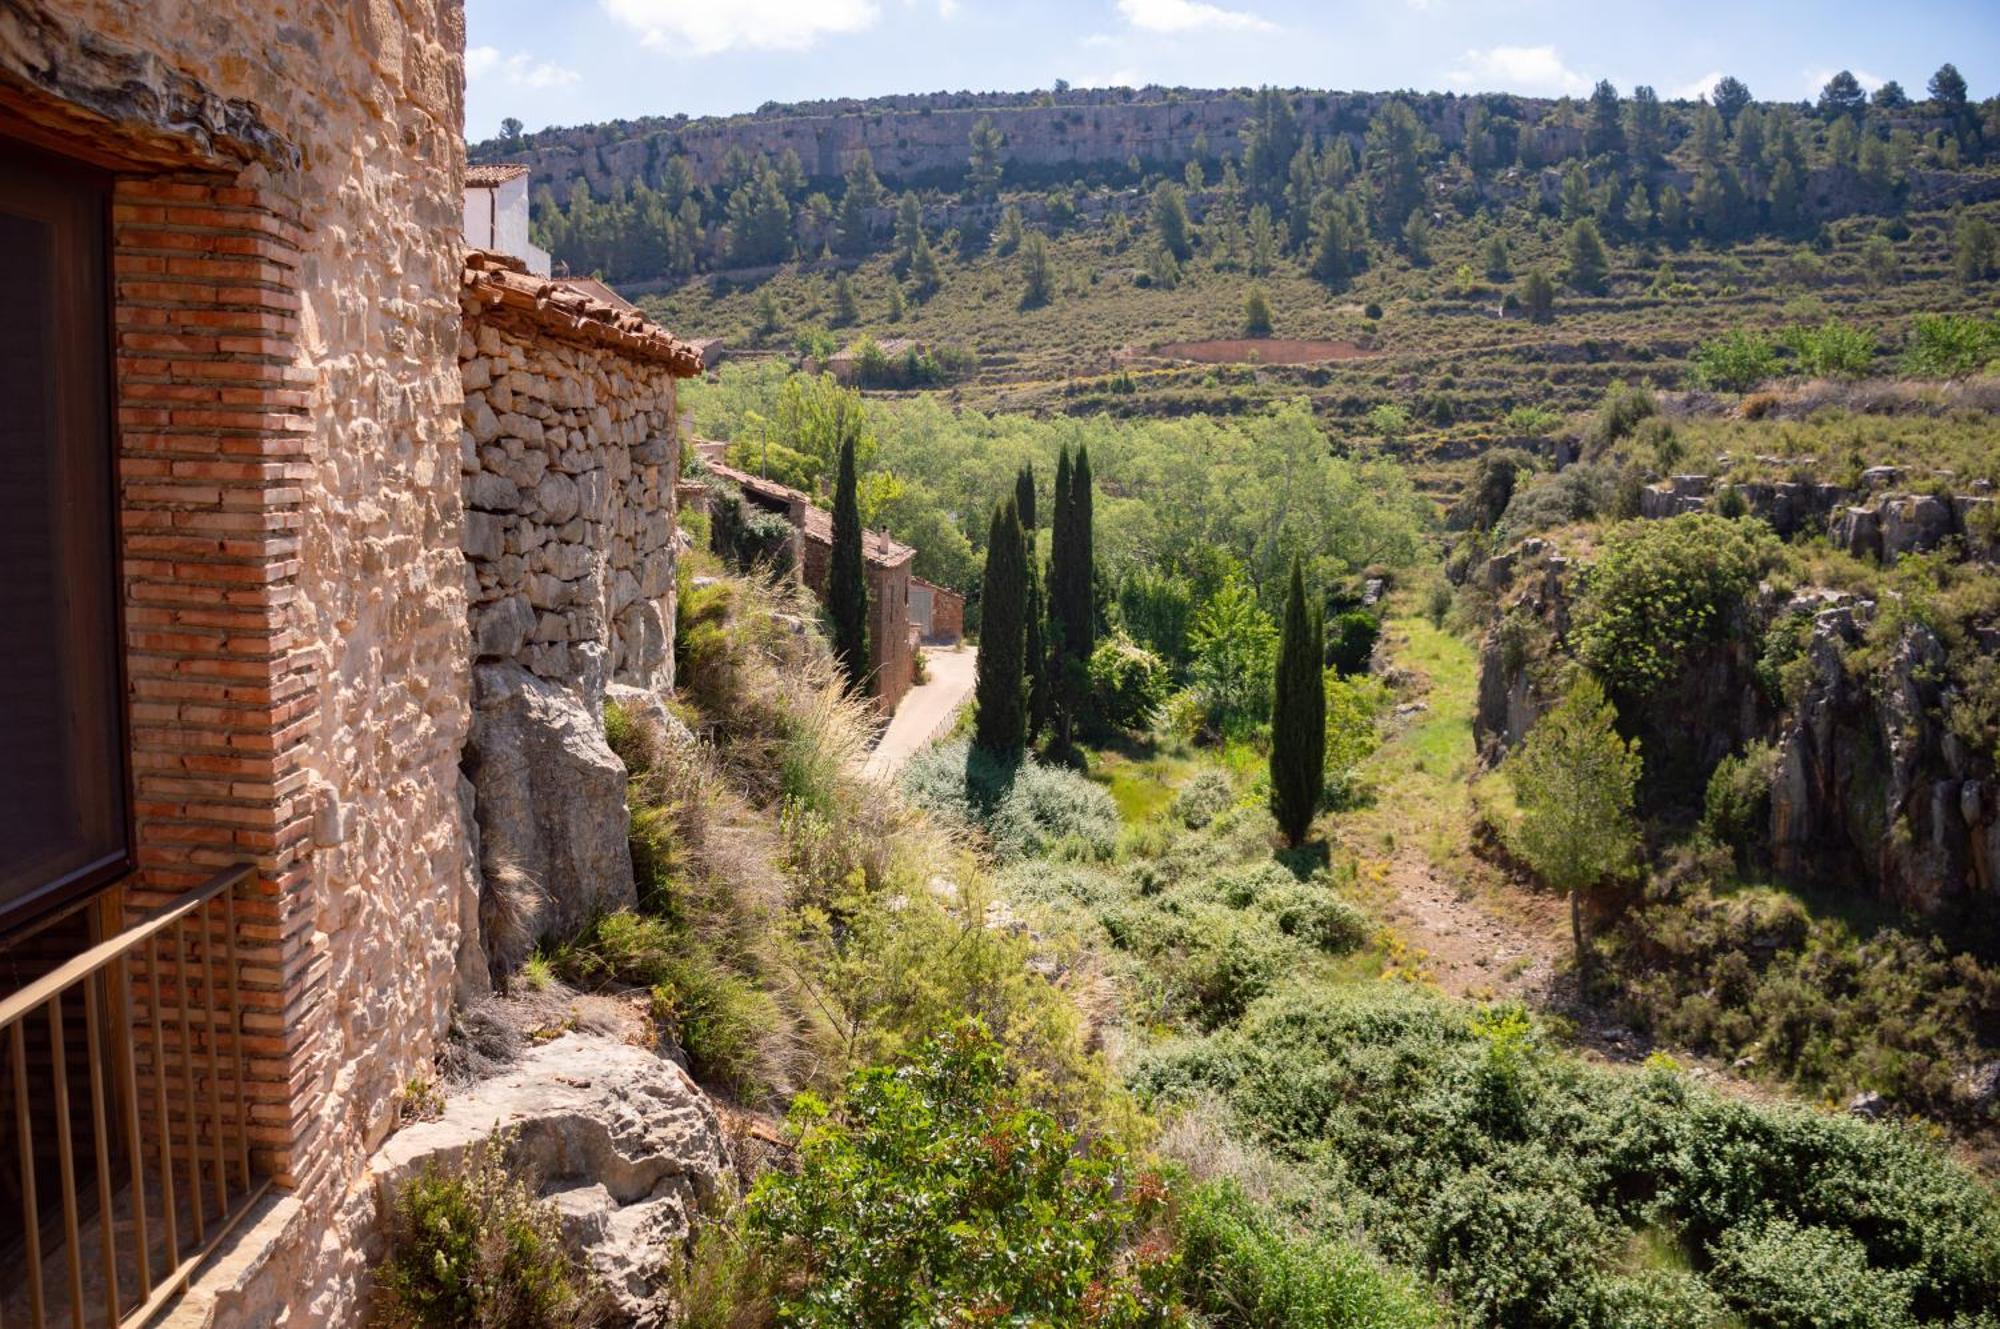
{"type": "Point", "coordinates": [63, 780]}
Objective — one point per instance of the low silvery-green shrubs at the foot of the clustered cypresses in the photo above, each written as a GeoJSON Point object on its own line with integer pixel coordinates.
{"type": "Point", "coordinates": [1025, 810]}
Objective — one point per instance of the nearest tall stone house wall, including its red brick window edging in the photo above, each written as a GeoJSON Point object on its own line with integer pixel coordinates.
{"type": "Point", "coordinates": [287, 265]}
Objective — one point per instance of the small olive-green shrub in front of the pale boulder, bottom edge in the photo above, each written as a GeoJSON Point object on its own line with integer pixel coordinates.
{"type": "Point", "coordinates": [473, 1250]}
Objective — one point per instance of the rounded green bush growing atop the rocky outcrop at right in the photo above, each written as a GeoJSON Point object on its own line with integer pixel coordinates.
{"type": "Point", "coordinates": [1659, 591]}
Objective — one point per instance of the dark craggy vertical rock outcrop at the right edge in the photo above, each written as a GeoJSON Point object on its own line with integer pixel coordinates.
{"type": "Point", "coordinates": [1873, 786]}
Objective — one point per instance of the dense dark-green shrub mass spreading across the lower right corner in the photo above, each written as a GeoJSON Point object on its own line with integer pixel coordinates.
{"type": "Point", "coordinates": [1521, 1182]}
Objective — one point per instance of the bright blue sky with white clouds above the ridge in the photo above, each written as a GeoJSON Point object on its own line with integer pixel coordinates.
{"type": "Point", "coordinates": [581, 61]}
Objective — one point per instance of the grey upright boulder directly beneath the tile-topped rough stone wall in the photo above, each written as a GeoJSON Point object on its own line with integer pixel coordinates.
{"type": "Point", "coordinates": [551, 796]}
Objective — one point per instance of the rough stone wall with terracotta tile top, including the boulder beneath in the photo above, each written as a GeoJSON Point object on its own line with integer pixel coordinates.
{"type": "Point", "coordinates": [569, 461]}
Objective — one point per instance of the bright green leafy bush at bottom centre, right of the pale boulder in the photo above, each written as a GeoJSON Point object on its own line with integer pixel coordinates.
{"type": "Point", "coordinates": [933, 1194]}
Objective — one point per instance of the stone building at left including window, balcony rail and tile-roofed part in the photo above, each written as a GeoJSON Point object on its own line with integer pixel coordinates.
{"type": "Point", "coordinates": [261, 559]}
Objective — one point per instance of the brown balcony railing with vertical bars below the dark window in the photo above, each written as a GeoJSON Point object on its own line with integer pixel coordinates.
{"type": "Point", "coordinates": [151, 1132]}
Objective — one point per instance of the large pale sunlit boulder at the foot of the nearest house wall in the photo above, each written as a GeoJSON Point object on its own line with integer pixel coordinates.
{"type": "Point", "coordinates": [617, 1138]}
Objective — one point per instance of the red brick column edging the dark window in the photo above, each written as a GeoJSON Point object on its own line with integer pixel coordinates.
{"type": "Point", "coordinates": [223, 696]}
